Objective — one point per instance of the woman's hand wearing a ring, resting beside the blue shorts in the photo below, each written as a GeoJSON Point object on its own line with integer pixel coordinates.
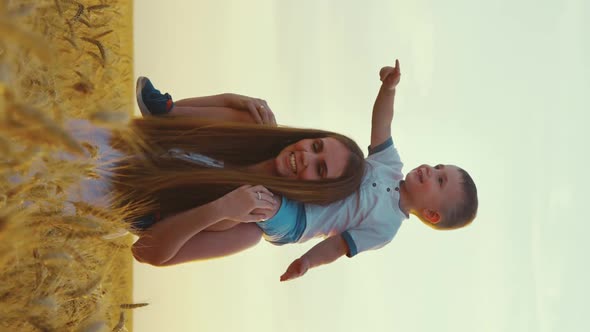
{"type": "Point", "coordinates": [248, 204]}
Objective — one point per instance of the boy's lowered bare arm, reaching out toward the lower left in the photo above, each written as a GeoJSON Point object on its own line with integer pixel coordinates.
{"type": "Point", "coordinates": [322, 253]}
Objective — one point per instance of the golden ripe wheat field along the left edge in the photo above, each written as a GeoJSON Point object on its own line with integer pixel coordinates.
{"type": "Point", "coordinates": [61, 59]}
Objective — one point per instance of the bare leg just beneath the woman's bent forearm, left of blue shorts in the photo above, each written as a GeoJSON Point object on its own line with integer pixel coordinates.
{"type": "Point", "coordinates": [206, 245]}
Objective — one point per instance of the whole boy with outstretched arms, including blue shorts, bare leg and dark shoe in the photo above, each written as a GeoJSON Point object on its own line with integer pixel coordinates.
{"type": "Point", "coordinates": [443, 197]}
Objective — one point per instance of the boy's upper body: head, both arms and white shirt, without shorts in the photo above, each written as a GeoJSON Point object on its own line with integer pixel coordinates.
{"type": "Point", "coordinates": [443, 197]}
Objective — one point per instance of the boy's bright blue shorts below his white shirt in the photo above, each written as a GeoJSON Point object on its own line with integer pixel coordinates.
{"type": "Point", "coordinates": [287, 225]}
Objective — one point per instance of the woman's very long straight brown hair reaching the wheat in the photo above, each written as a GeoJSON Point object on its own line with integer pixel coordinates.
{"type": "Point", "coordinates": [171, 185]}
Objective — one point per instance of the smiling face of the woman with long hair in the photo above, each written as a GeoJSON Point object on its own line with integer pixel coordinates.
{"type": "Point", "coordinates": [313, 159]}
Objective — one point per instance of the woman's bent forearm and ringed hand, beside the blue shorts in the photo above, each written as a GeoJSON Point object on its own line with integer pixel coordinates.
{"type": "Point", "coordinates": [162, 241]}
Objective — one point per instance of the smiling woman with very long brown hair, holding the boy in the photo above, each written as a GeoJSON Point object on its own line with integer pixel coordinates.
{"type": "Point", "coordinates": [195, 185]}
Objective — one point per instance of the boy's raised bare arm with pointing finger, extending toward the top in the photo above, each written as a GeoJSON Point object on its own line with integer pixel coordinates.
{"type": "Point", "coordinates": [383, 107]}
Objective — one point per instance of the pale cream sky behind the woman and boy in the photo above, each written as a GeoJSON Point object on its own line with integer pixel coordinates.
{"type": "Point", "coordinates": [496, 87]}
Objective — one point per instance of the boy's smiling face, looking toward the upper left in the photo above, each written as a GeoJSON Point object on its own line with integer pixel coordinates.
{"type": "Point", "coordinates": [433, 189]}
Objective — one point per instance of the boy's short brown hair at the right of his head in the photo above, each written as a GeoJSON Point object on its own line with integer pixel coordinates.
{"type": "Point", "coordinates": [462, 213]}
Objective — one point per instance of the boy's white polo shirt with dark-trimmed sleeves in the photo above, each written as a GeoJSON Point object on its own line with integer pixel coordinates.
{"type": "Point", "coordinates": [370, 217]}
